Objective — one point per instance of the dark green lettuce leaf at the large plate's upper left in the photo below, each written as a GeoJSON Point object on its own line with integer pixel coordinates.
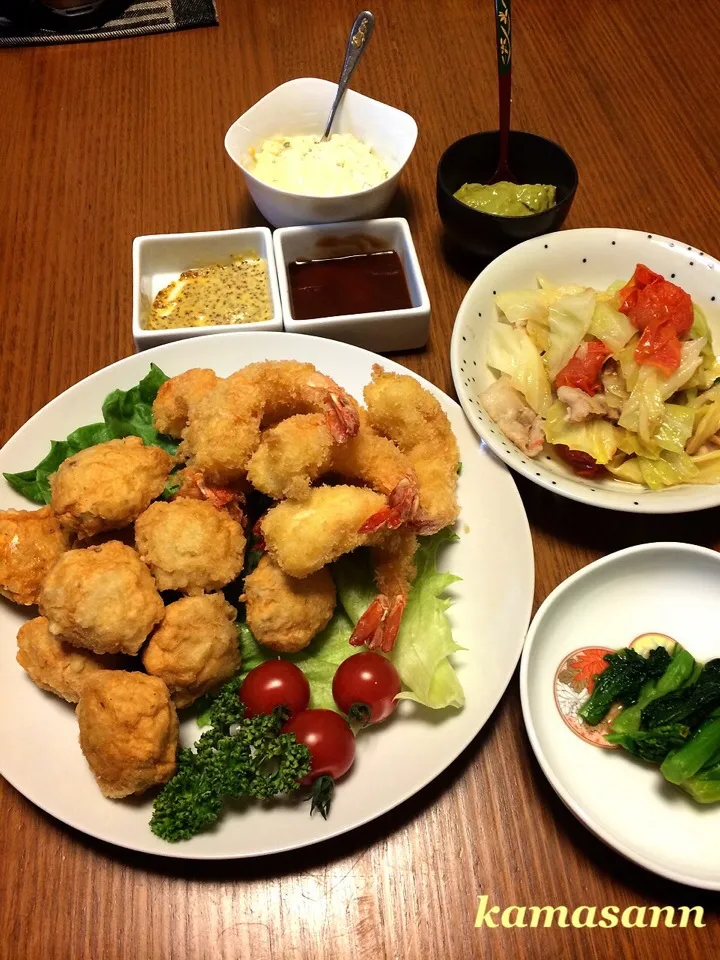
{"type": "Point", "coordinates": [125, 413]}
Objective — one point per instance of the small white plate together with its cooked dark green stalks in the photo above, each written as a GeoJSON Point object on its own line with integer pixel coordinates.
{"type": "Point", "coordinates": [643, 776]}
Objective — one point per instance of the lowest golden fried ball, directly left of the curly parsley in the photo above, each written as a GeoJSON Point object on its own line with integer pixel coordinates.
{"type": "Point", "coordinates": [128, 731]}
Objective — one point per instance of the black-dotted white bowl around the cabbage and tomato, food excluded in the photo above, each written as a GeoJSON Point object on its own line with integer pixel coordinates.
{"type": "Point", "coordinates": [596, 257]}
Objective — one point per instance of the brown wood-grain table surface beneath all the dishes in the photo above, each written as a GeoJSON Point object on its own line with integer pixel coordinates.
{"type": "Point", "coordinates": [104, 141]}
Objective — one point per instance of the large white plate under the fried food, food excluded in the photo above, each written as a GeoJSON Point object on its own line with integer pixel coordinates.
{"type": "Point", "coordinates": [40, 755]}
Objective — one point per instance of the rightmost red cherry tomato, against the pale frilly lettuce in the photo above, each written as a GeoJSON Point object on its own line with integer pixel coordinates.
{"type": "Point", "coordinates": [365, 686]}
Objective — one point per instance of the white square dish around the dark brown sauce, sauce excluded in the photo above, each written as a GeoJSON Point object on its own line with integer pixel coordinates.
{"type": "Point", "coordinates": [385, 331]}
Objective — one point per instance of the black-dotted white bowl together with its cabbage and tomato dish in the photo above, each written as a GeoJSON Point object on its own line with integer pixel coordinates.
{"type": "Point", "coordinates": [603, 396]}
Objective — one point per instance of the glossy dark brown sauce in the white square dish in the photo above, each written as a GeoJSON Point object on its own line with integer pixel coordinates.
{"type": "Point", "coordinates": [360, 283]}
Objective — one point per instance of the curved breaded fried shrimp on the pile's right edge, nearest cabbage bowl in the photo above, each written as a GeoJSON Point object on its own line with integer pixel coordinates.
{"type": "Point", "coordinates": [403, 411]}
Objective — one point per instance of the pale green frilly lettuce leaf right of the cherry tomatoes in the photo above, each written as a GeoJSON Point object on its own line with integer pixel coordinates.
{"type": "Point", "coordinates": [424, 642]}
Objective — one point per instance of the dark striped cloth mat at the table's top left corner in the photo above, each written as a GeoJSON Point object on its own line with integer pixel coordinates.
{"type": "Point", "coordinates": [139, 19]}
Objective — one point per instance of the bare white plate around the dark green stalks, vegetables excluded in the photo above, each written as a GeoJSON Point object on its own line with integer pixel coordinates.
{"type": "Point", "coordinates": [670, 588]}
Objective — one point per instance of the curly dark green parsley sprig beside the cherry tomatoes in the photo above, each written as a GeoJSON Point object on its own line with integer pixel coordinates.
{"type": "Point", "coordinates": [255, 760]}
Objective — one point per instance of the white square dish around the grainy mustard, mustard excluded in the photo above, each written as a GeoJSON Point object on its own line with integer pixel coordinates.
{"type": "Point", "coordinates": [160, 258]}
